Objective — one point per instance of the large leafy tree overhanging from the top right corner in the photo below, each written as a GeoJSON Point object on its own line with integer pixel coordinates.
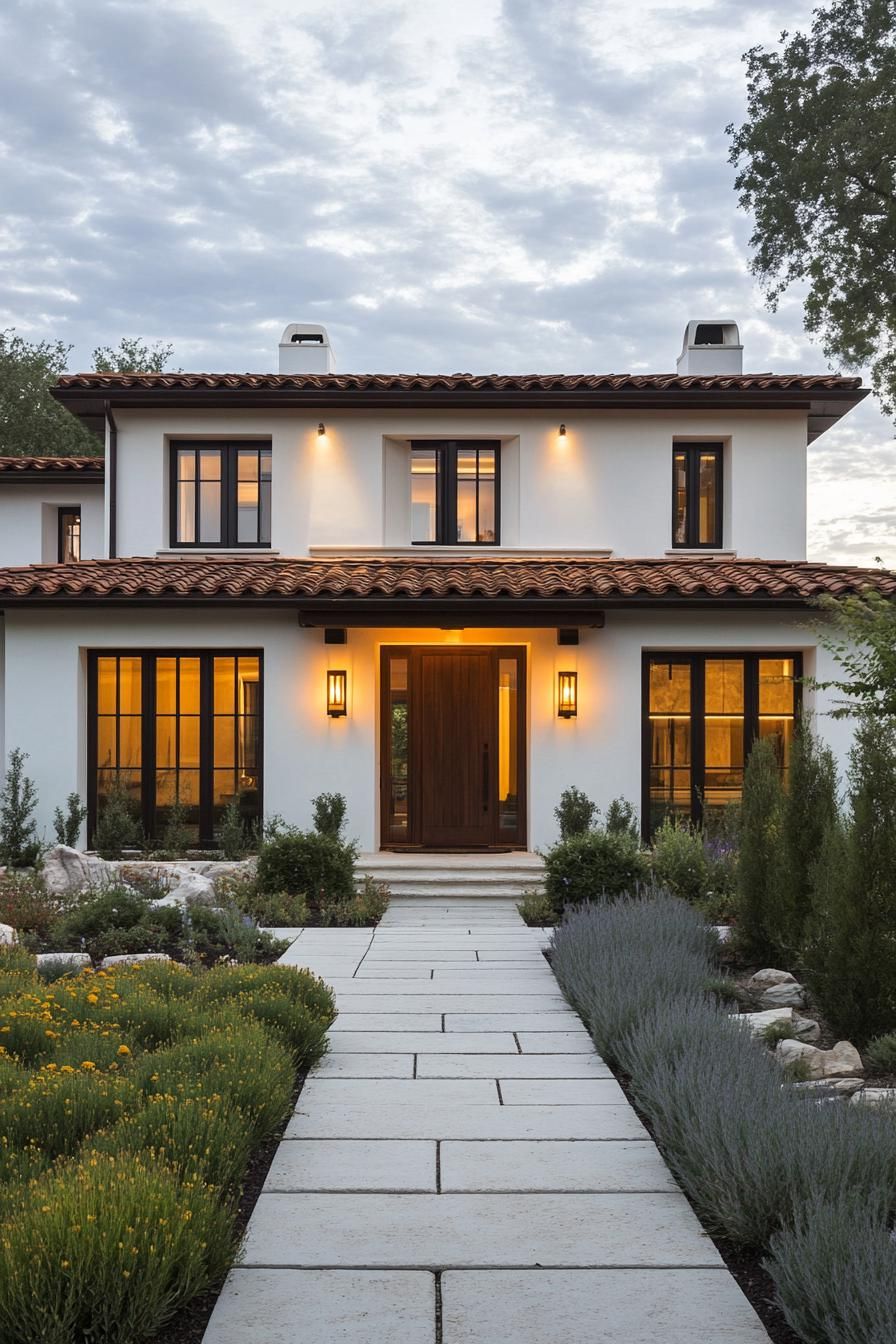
{"type": "Point", "coordinates": [817, 161]}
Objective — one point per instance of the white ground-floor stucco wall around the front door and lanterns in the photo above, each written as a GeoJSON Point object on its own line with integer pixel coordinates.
{"type": "Point", "coordinates": [306, 752]}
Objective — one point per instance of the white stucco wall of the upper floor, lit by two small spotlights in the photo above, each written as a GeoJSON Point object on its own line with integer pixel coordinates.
{"type": "Point", "coordinates": [609, 486]}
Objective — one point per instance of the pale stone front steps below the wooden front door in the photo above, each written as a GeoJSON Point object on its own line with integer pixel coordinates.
{"type": "Point", "coordinates": [443, 877]}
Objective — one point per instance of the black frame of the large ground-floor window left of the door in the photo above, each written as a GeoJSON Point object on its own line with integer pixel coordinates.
{"type": "Point", "coordinates": [148, 732]}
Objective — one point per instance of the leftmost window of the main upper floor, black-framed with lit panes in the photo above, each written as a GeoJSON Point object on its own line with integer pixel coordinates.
{"type": "Point", "coordinates": [221, 494]}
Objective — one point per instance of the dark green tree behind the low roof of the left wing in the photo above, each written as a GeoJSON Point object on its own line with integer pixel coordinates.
{"type": "Point", "coordinates": [32, 423]}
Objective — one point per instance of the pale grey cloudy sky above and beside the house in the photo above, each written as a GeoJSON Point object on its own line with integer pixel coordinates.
{"type": "Point", "coordinates": [448, 185]}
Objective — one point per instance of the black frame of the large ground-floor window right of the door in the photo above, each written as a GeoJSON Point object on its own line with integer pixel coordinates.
{"type": "Point", "coordinates": [698, 662]}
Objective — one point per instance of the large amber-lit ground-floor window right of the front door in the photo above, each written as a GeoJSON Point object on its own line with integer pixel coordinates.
{"type": "Point", "coordinates": [702, 714]}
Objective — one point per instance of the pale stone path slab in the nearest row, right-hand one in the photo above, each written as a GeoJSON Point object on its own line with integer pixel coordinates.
{"type": "Point", "coordinates": [597, 1307]}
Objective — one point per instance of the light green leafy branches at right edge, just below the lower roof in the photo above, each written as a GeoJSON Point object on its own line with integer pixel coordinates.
{"type": "Point", "coordinates": [862, 635]}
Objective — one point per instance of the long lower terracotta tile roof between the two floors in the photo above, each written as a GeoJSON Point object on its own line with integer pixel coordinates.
{"type": "Point", "coordinates": [296, 583]}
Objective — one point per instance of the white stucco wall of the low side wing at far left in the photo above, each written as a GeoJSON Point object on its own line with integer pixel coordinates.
{"type": "Point", "coordinates": [29, 521]}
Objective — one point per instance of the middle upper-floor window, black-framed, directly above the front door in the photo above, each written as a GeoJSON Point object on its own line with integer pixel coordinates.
{"type": "Point", "coordinates": [456, 494]}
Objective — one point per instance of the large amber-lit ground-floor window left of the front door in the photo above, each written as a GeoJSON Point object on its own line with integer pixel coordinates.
{"type": "Point", "coordinates": [177, 728]}
